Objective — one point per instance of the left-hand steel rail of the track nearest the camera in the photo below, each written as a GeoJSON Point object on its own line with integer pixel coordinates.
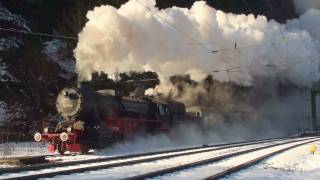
{"type": "Point", "coordinates": [206, 161]}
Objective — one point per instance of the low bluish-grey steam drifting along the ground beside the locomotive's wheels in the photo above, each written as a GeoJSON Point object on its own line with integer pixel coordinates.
{"type": "Point", "coordinates": [182, 136]}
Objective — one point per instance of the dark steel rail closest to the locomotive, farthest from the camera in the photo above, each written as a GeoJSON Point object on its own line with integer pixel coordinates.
{"type": "Point", "coordinates": [122, 157]}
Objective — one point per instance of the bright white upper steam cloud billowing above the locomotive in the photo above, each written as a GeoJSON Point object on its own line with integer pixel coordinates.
{"type": "Point", "coordinates": [199, 41]}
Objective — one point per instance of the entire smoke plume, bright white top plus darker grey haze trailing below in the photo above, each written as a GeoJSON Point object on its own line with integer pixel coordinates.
{"type": "Point", "coordinates": [240, 68]}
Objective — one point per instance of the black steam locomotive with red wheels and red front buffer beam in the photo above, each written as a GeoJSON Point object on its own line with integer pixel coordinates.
{"type": "Point", "coordinates": [95, 119]}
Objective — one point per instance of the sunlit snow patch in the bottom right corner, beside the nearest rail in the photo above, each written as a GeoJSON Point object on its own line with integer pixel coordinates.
{"type": "Point", "coordinates": [297, 163]}
